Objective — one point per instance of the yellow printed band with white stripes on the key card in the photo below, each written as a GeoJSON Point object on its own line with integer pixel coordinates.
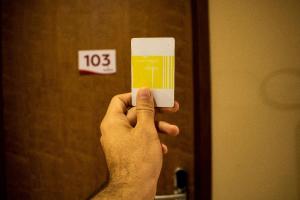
{"type": "Point", "coordinates": [153, 71]}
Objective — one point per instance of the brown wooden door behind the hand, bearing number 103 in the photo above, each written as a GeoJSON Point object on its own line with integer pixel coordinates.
{"type": "Point", "coordinates": [51, 112]}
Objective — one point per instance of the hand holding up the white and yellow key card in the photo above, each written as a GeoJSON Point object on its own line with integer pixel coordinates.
{"type": "Point", "coordinates": [132, 147]}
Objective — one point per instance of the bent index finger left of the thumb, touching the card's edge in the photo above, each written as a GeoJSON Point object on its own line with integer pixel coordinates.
{"type": "Point", "coordinates": [119, 103]}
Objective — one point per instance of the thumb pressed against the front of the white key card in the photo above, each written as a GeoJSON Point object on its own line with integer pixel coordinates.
{"type": "Point", "coordinates": [145, 107]}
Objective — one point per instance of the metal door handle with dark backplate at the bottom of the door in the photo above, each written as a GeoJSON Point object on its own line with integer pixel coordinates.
{"type": "Point", "coordinates": [180, 186]}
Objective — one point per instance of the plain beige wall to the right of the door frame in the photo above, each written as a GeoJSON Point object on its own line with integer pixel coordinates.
{"type": "Point", "coordinates": [255, 62]}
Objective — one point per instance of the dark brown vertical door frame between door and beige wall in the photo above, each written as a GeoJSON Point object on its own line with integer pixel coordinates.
{"type": "Point", "coordinates": [202, 100]}
